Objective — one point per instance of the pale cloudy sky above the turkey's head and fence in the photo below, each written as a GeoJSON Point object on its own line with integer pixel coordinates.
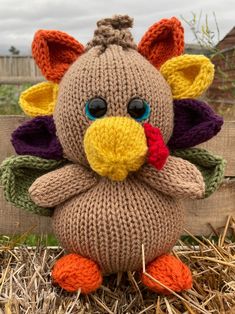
{"type": "Point", "coordinates": [19, 19]}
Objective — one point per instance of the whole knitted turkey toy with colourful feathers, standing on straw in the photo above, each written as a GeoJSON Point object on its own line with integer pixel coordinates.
{"type": "Point", "coordinates": [108, 154]}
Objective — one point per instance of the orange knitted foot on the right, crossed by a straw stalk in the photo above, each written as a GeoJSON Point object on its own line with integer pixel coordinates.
{"type": "Point", "coordinates": [171, 272]}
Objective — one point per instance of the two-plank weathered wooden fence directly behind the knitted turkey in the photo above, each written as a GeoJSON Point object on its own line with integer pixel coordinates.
{"type": "Point", "coordinates": [199, 213]}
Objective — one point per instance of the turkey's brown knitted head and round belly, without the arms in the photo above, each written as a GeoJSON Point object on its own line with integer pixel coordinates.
{"type": "Point", "coordinates": [110, 222]}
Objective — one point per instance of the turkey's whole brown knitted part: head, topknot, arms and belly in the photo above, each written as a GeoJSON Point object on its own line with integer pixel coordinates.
{"type": "Point", "coordinates": [103, 220]}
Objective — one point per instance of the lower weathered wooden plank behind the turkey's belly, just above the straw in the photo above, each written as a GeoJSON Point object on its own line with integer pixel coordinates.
{"type": "Point", "coordinates": [199, 213]}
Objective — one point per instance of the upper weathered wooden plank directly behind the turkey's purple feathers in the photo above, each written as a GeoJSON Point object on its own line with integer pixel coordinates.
{"type": "Point", "coordinates": [223, 144]}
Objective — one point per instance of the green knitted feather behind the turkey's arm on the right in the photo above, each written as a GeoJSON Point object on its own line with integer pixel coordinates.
{"type": "Point", "coordinates": [211, 166]}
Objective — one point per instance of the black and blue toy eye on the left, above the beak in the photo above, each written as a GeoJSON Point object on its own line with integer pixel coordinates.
{"type": "Point", "coordinates": [96, 108]}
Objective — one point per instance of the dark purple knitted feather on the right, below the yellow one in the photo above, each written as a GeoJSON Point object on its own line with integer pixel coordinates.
{"type": "Point", "coordinates": [194, 123]}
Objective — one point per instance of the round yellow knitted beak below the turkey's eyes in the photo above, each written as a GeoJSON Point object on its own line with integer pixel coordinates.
{"type": "Point", "coordinates": [114, 146]}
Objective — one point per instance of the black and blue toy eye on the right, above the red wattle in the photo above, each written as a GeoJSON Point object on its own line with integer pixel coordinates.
{"type": "Point", "coordinates": [138, 109]}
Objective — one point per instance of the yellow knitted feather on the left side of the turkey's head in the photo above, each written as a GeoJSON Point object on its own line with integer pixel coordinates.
{"type": "Point", "coordinates": [39, 99]}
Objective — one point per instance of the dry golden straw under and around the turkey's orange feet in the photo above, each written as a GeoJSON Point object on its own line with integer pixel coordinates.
{"type": "Point", "coordinates": [26, 287]}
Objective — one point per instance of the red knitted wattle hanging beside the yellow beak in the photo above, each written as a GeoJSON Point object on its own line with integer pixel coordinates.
{"type": "Point", "coordinates": [157, 150]}
